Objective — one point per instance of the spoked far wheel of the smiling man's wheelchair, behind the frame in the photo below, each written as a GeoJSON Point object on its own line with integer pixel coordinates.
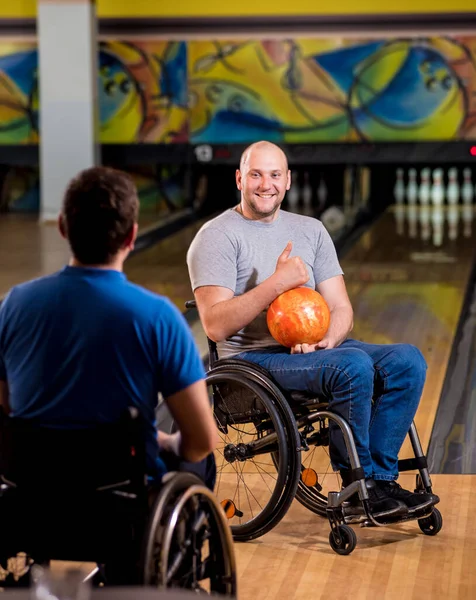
{"type": "Point", "coordinates": [317, 477]}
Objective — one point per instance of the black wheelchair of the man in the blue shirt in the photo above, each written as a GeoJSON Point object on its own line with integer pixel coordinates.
{"type": "Point", "coordinates": [83, 495]}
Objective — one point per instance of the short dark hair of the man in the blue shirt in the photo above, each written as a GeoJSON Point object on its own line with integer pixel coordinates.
{"type": "Point", "coordinates": [100, 208]}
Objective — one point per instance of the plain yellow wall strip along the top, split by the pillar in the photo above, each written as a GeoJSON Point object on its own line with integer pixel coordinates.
{"type": "Point", "coordinates": [193, 8]}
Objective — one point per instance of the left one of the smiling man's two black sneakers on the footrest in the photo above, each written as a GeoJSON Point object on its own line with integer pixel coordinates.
{"type": "Point", "coordinates": [381, 505]}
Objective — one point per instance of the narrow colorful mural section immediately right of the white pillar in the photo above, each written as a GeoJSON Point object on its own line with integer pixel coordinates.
{"type": "Point", "coordinates": [143, 92]}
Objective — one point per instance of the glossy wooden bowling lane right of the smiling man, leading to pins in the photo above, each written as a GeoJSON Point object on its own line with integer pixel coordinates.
{"type": "Point", "coordinates": [408, 285]}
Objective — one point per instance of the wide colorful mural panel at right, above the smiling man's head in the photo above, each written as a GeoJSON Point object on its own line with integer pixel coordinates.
{"type": "Point", "coordinates": [329, 90]}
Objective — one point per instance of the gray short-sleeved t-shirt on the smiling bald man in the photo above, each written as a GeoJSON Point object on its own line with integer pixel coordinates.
{"type": "Point", "coordinates": [238, 253]}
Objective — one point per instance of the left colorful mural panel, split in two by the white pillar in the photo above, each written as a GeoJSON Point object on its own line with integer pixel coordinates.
{"type": "Point", "coordinates": [142, 93]}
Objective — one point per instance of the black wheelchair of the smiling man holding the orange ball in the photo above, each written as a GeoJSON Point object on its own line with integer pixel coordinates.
{"type": "Point", "coordinates": [307, 410]}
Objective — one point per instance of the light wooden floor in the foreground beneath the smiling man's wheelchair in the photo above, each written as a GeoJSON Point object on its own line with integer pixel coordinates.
{"type": "Point", "coordinates": [295, 562]}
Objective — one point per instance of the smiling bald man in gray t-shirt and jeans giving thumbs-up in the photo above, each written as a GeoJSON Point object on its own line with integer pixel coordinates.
{"type": "Point", "coordinates": [242, 260]}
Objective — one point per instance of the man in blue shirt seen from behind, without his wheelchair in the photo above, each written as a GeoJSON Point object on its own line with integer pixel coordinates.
{"type": "Point", "coordinates": [80, 346]}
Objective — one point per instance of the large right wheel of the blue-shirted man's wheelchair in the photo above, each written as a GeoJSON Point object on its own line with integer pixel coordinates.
{"type": "Point", "coordinates": [188, 544]}
